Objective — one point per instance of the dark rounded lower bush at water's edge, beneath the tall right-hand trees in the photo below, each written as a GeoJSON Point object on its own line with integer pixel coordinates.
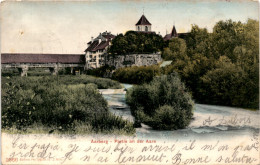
{"type": "Point", "coordinates": [230, 85]}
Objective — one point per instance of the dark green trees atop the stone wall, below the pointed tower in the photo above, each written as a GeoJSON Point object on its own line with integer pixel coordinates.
{"type": "Point", "coordinates": [136, 42]}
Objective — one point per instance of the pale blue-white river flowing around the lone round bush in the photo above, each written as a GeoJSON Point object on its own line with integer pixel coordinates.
{"type": "Point", "coordinates": [210, 121]}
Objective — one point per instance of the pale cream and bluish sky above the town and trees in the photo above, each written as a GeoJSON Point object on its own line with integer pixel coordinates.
{"type": "Point", "coordinates": [67, 27]}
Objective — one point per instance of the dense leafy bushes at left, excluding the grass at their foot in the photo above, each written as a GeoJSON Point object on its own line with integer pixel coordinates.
{"type": "Point", "coordinates": [52, 105]}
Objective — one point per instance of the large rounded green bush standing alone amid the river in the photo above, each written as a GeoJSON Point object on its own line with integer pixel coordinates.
{"type": "Point", "coordinates": [162, 104]}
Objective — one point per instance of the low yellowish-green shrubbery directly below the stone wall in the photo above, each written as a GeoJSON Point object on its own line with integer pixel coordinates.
{"type": "Point", "coordinates": [135, 74]}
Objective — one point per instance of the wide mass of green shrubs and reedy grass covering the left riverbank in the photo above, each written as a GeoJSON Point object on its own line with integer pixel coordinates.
{"type": "Point", "coordinates": [30, 100]}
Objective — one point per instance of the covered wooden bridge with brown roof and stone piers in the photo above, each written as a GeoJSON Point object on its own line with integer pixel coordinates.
{"type": "Point", "coordinates": [54, 62]}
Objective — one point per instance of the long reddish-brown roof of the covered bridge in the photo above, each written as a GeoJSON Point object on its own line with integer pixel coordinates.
{"type": "Point", "coordinates": [8, 58]}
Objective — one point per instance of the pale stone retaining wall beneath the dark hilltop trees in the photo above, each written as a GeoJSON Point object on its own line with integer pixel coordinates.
{"type": "Point", "coordinates": [120, 61]}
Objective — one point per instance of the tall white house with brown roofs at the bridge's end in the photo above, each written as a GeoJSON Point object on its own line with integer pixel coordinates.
{"type": "Point", "coordinates": [97, 49]}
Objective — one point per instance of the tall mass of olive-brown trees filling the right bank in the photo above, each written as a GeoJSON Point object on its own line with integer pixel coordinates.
{"type": "Point", "coordinates": [219, 67]}
